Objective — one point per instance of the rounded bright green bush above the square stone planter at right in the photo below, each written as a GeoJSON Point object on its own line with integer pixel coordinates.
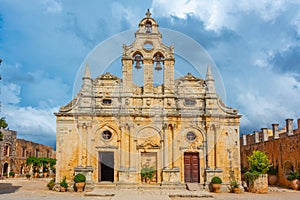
{"type": "Point", "coordinates": [259, 162]}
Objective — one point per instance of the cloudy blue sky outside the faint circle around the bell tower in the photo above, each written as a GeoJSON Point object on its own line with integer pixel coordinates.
{"type": "Point", "coordinates": [255, 45]}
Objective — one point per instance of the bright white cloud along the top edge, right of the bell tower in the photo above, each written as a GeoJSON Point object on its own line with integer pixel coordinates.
{"type": "Point", "coordinates": [217, 14]}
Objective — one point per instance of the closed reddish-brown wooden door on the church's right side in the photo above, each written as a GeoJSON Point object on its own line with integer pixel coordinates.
{"type": "Point", "coordinates": [191, 167]}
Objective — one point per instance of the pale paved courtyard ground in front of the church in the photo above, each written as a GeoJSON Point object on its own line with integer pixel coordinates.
{"type": "Point", "coordinates": [36, 189]}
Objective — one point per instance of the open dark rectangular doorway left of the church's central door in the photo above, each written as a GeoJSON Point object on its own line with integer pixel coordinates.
{"type": "Point", "coordinates": [106, 166]}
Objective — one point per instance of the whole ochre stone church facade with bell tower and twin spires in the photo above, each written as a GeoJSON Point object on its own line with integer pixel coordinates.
{"type": "Point", "coordinates": [114, 129]}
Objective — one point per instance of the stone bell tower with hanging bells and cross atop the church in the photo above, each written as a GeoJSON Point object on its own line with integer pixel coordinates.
{"type": "Point", "coordinates": [148, 53]}
